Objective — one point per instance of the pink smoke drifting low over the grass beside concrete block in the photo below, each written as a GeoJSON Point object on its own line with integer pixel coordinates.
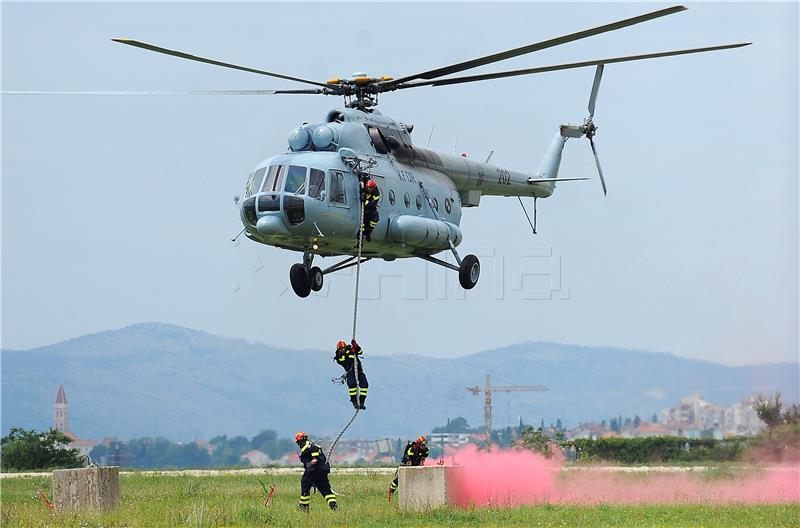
{"type": "Point", "coordinates": [516, 477]}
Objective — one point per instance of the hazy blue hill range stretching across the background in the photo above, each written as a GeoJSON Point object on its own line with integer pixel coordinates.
{"type": "Point", "coordinates": [161, 380]}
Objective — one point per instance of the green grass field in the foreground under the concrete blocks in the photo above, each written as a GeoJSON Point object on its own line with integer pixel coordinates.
{"type": "Point", "coordinates": [237, 500]}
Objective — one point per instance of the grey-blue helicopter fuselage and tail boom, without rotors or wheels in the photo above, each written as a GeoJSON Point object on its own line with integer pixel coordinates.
{"type": "Point", "coordinates": [308, 199]}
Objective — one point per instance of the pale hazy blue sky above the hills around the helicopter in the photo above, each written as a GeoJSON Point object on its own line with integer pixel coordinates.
{"type": "Point", "coordinates": [117, 210]}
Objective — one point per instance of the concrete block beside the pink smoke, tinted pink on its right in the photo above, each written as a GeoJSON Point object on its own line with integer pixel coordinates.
{"type": "Point", "coordinates": [422, 487]}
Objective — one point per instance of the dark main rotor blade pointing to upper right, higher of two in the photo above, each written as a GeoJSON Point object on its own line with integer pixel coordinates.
{"type": "Point", "coordinates": [538, 46]}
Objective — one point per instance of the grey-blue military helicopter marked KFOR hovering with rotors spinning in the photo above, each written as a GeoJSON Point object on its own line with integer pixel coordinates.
{"type": "Point", "coordinates": [308, 198]}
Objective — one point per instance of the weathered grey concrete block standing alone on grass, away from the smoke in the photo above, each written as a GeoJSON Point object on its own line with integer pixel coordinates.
{"type": "Point", "coordinates": [95, 488]}
